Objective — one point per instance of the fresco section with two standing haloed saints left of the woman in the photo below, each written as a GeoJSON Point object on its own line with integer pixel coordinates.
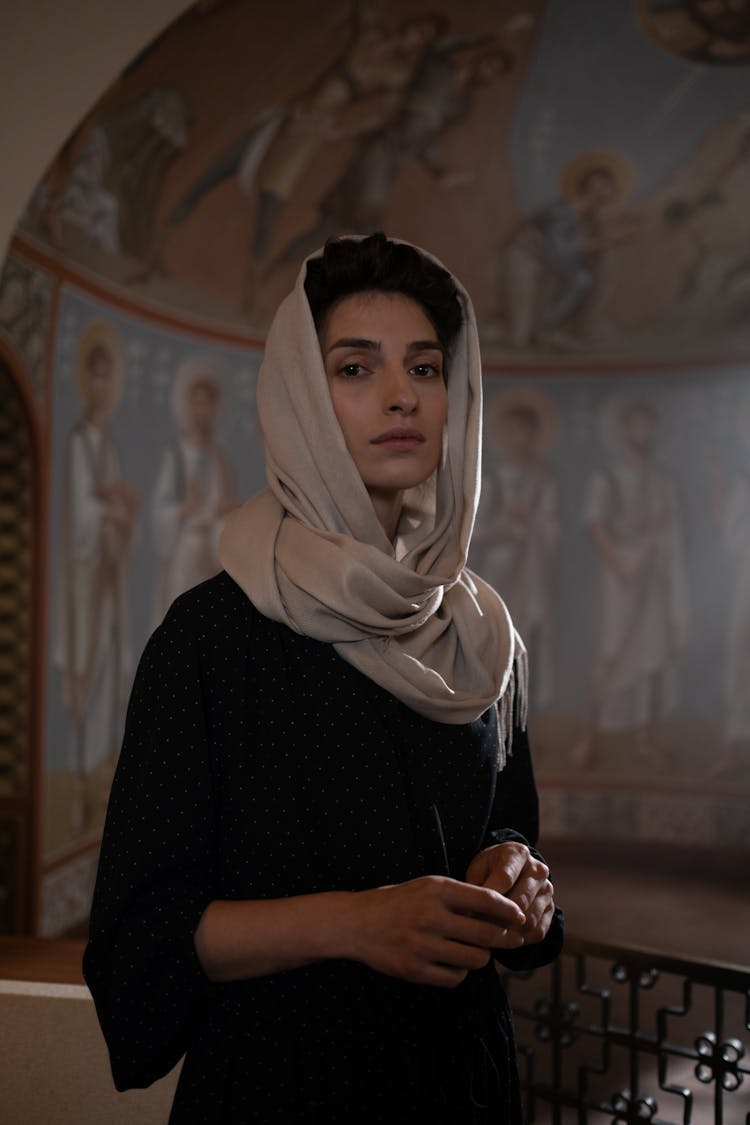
{"type": "Point", "coordinates": [150, 424]}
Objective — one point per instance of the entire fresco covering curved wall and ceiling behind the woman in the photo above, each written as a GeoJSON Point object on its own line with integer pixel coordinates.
{"type": "Point", "coordinates": [585, 169]}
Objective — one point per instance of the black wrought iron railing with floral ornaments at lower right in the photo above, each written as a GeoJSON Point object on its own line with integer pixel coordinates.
{"type": "Point", "coordinates": [612, 1036]}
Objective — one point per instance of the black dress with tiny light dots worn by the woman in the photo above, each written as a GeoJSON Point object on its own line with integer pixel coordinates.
{"type": "Point", "coordinates": [258, 764]}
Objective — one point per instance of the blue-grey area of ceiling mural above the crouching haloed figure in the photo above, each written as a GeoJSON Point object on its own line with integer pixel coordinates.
{"type": "Point", "coordinates": [598, 79]}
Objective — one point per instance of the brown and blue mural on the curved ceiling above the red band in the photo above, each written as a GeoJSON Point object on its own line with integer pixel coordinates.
{"type": "Point", "coordinates": [590, 188]}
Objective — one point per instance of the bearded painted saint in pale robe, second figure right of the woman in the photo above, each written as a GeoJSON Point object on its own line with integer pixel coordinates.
{"type": "Point", "coordinates": [634, 518]}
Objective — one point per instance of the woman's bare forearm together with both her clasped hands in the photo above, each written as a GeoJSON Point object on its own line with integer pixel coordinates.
{"type": "Point", "coordinates": [430, 931]}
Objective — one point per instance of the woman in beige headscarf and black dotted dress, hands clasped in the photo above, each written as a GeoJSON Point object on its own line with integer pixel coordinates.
{"type": "Point", "coordinates": [311, 857]}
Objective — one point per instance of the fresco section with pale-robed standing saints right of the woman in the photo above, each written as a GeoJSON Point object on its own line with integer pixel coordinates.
{"type": "Point", "coordinates": [615, 518]}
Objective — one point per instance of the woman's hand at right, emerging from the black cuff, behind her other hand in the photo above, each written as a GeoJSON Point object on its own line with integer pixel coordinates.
{"type": "Point", "coordinates": [512, 871]}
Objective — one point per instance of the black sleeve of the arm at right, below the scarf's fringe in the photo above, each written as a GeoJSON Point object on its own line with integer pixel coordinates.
{"type": "Point", "coordinates": [516, 817]}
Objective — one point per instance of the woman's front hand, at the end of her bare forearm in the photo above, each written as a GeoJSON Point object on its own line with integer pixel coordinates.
{"type": "Point", "coordinates": [432, 931]}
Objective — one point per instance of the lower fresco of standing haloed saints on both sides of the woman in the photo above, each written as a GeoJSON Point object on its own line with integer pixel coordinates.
{"type": "Point", "coordinates": [616, 520]}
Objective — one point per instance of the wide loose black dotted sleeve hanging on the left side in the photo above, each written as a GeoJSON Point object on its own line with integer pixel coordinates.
{"type": "Point", "coordinates": [157, 869]}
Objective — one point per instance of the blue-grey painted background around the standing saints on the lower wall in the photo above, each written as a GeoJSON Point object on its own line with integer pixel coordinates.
{"type": "Point", "coordinates": [700, 413]}
